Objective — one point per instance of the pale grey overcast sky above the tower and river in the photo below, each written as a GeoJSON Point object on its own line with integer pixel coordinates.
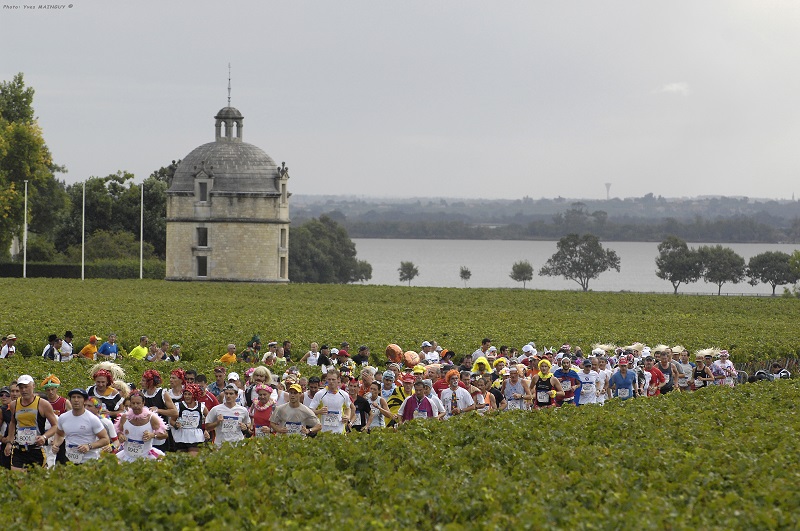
{"type": "Point", "coordinates": [428, 98]}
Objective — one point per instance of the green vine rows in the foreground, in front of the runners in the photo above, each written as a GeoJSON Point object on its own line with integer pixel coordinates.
{"type": "Point", "coordinates": [726, 459]}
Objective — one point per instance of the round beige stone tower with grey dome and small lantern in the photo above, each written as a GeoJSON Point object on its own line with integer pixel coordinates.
{"type": "Point", "coordinates": [228, 211]}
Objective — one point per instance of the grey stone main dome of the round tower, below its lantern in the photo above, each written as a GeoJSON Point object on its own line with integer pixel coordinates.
{"type": "Point", "coordinates": [236, 167]}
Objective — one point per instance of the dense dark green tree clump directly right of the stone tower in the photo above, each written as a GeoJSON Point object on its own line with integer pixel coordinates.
{"type": "Point", "coordinates": [320, 251]}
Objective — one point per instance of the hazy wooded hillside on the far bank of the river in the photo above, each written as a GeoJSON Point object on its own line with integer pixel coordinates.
{"type": "Point", "coordinates": [648, 218]}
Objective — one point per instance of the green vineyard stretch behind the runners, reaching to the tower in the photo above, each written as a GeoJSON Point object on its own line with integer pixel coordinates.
{"type": "Point", "coordinates": [204, 317]}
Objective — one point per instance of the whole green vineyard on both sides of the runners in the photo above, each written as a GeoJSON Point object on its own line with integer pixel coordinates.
{"type": "Point", "coordinates": [721, 458]}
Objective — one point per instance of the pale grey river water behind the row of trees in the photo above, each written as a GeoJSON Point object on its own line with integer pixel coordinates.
{"type": "Point", "coordinates": [490, 261]}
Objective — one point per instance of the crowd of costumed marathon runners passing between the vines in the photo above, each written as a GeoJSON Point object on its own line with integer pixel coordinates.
{"type": "Point", "coordinates": [154, 416]}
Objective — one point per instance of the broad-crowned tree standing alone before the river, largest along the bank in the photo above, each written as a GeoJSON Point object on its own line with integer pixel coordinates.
{"type": "Point", "coordinates": [580, 258]}
